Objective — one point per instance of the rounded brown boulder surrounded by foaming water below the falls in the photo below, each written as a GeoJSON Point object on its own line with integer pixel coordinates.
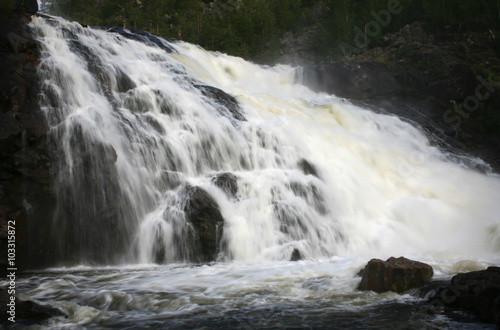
{"type": "Point", "coordinates": [394, 274]}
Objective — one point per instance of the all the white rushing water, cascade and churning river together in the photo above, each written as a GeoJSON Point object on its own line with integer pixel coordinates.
{"type": "Point", "coordinates": [137, 122]}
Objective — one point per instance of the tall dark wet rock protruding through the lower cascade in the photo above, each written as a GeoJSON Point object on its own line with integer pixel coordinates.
{"type": "Point", "coordinates": [202, 211]}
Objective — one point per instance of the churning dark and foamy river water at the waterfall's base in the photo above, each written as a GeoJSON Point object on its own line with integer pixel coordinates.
{"type": "Point", "coordinates": [309, 294]}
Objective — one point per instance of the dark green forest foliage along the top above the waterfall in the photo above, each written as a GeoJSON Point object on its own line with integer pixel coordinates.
{"type": "Point", "coordinates": [251, 27]}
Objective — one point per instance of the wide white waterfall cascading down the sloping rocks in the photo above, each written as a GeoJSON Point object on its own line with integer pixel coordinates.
{"type": "Point", "coordinates": [164, 152]}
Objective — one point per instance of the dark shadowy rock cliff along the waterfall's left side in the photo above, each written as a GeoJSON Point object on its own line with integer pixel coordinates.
{"type": "Point", "coordinates": [25, 176]}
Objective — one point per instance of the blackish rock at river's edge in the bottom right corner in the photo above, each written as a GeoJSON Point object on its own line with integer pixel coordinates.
{"type": "Point", "coordinates": [475, 292]}
